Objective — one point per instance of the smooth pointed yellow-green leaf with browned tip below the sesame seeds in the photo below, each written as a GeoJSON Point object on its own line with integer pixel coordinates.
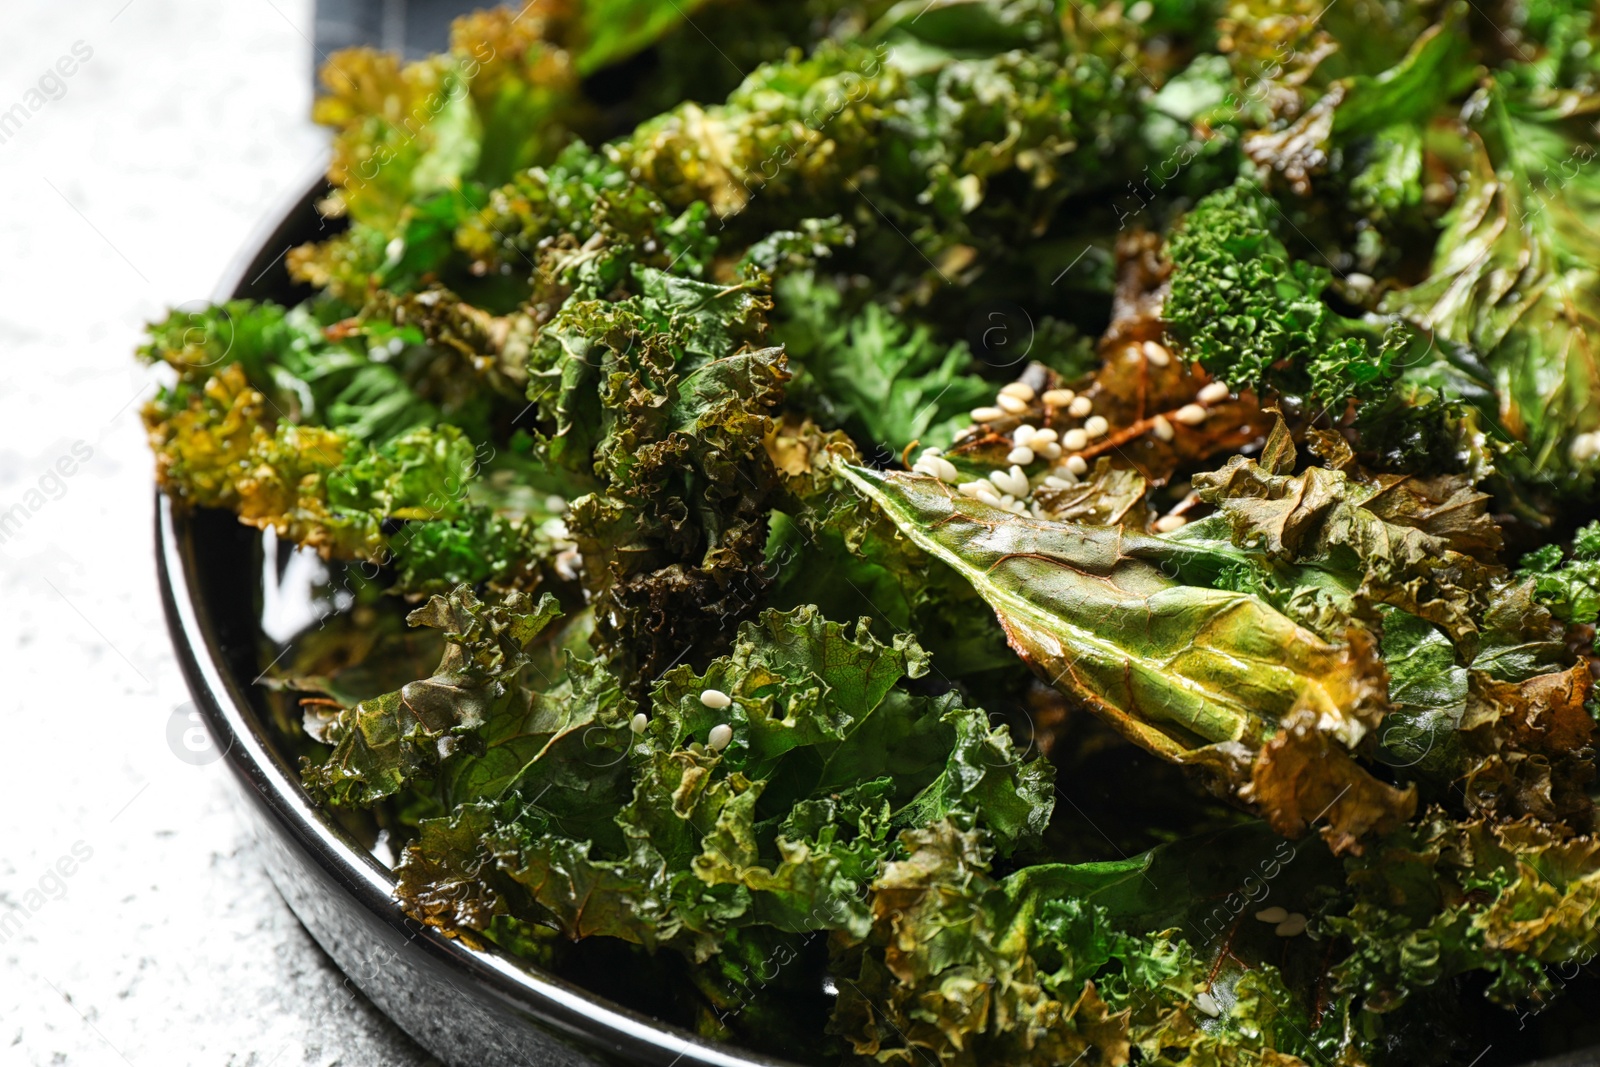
{"type": "Point", "coordinates": [1178, 663]}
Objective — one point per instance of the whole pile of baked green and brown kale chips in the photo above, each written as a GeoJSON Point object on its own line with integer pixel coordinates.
{"type": "Point", "coordinates": [961, 533]}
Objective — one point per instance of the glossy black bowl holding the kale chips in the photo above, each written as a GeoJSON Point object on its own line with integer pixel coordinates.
{"type": "Point", "coordinates": [471, 1009]}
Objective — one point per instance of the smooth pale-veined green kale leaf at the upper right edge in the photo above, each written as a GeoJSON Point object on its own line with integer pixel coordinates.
{"type": "Point", "coordinates": [1511, 276]}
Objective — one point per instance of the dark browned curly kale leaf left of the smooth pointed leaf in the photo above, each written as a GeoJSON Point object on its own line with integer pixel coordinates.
{"type": "Point", "coordinates": [665, 398]}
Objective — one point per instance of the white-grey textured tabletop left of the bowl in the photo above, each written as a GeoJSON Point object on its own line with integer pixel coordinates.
{"type": "Point", "coordinates": [135, 924]}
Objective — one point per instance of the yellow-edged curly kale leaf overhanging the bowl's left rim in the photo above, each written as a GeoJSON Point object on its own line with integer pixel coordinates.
{"type": "Point", "coordinates": [356, 439]}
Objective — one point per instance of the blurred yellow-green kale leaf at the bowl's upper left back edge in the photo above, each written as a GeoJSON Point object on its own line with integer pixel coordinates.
{"type": "Point", "coordinates": [418, 148]}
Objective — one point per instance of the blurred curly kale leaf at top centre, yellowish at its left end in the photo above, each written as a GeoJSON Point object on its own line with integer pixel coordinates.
{"type": "Point", "coordinates": [906, 143]}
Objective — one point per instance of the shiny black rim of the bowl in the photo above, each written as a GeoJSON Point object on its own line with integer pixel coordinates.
{"type": "Point", "coordinates": [593, 1021]}
